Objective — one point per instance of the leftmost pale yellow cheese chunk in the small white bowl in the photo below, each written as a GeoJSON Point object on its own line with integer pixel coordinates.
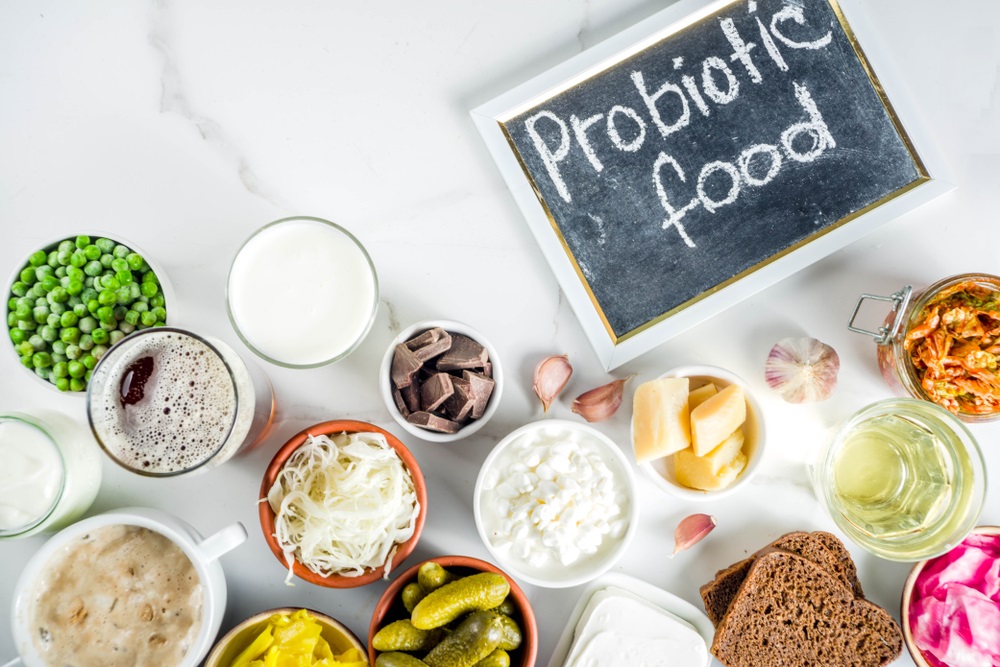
{"type": "Point", "coordinates": [660, 418]}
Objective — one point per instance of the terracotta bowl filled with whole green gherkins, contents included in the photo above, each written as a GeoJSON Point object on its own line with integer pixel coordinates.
{"type": "Point", "coordinates": [453, 608]}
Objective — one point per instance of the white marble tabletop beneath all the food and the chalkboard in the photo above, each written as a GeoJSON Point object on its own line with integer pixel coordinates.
{"type": "Point", "coordinates": [185, 125]}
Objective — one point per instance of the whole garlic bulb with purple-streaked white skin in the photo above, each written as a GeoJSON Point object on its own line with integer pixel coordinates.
{"type": "Point", "coordinates": [802, 370]}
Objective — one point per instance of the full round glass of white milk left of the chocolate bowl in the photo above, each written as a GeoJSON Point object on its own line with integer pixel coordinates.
{"type": "Point", "coordinates": [302, 292]}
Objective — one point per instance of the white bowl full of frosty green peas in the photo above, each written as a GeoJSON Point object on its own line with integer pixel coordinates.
{"type": "Point", "coordinates": [71, 300]}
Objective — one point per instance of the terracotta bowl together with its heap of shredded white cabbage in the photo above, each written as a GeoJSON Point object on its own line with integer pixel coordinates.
{"type": "Point", "coordinates": [342, 504]}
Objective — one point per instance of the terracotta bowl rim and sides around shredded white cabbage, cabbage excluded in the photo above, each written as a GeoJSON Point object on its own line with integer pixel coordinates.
{"type": "Point", "coordinates": [277, 463]}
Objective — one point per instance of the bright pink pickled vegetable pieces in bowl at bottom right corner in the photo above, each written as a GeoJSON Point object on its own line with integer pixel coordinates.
{"type": "Point", "coordinates": [955, 609]}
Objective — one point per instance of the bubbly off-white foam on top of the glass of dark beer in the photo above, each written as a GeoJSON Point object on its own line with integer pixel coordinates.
{"type": "Point", "coordinates": [186, 414]}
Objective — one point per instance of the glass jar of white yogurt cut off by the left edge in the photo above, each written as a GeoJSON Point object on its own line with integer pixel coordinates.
{"type": "Point", "coordinates": [50, 472]}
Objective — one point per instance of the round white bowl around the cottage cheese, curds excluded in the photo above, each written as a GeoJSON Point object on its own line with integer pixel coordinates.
{"type": "Point", "coordinates": [553, 574]}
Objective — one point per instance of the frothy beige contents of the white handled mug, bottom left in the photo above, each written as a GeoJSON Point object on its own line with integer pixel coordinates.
{"type": "Point", "coordinates": [119, 596]}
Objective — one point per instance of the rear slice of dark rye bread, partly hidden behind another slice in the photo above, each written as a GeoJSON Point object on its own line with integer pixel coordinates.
{"type": "Point", "coordinates": [824, 549]}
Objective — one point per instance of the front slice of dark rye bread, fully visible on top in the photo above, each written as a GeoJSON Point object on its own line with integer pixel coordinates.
{"type": "Point", "coordinates": [790, 611]}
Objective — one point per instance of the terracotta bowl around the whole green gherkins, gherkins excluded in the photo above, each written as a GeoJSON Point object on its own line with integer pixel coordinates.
{"type": "Point", "coordinates": [390, 607]}
